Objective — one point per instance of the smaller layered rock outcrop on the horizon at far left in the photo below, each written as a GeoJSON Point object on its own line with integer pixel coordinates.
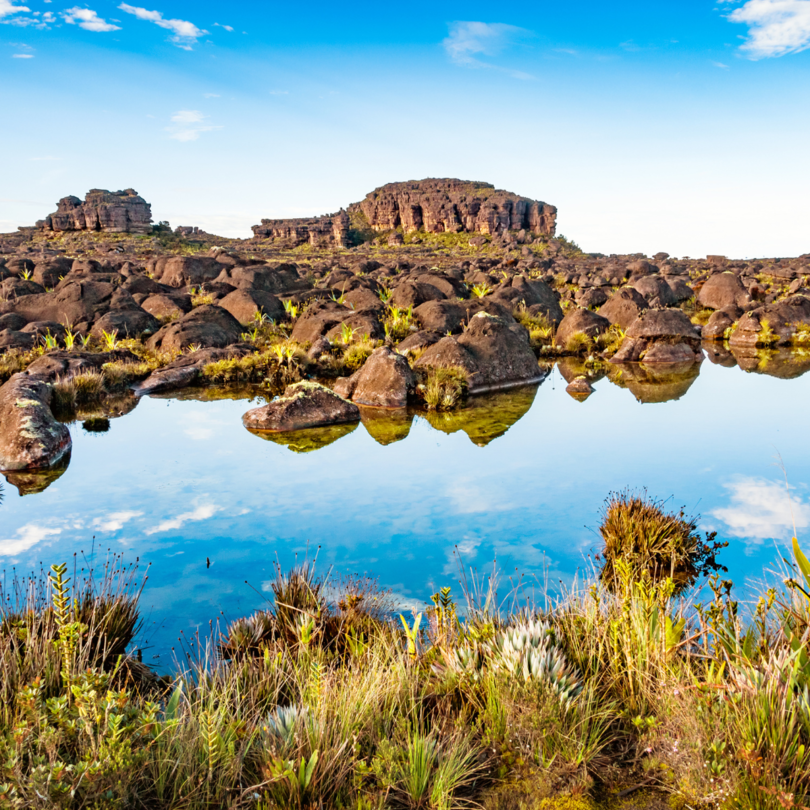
{"type": "Point", "coordinates": [108, 211]}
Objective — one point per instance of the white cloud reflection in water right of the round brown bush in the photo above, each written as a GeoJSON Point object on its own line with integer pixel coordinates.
{"type": "Point", "coordinates": [762, 510]}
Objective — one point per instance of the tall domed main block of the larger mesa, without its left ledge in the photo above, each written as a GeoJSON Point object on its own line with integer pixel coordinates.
{"type": "Point", "coordinates": [454, 206]}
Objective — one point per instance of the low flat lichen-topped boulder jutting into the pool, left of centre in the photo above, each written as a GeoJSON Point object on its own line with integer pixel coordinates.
{"type": "Point", "coordinates": [304, 405]}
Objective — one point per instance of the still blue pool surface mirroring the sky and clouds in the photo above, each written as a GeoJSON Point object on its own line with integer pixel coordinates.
{"type": "Point", "coordinates": [175, 482]}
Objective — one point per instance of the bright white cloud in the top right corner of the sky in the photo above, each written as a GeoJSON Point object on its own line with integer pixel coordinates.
{"type": "Point", "coordinates": [776, 27]}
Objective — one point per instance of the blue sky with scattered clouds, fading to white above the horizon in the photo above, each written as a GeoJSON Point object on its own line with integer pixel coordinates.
{"type": "Point", "coordinates": [677, 126]}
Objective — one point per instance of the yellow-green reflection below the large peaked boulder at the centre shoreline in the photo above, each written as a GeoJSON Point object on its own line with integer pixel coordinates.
{"type": "Point", "coordinates": [488, 416]}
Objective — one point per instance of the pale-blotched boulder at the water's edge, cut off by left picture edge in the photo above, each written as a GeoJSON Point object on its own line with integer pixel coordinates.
{"type": "Point", "coordinates": [30, 438]}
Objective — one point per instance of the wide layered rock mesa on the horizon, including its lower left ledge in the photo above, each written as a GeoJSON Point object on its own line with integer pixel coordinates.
{"type": "Point", "coordinates": [433, 206]}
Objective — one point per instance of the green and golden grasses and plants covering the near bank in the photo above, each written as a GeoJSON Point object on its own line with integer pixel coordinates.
{"type": "Point", "coordinates": [327, 698]}
